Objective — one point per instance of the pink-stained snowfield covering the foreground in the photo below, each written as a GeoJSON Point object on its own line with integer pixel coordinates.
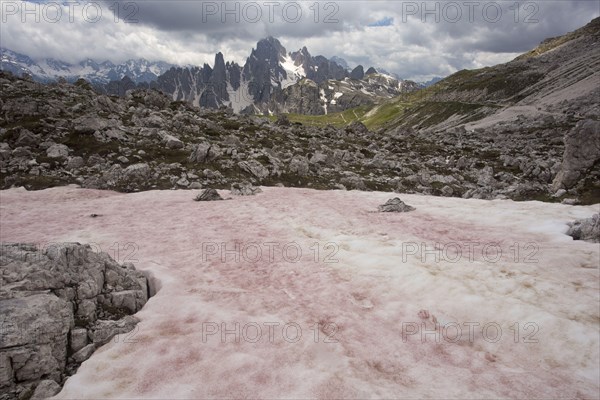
{"type": "Point", "coordinates": [518, 320]}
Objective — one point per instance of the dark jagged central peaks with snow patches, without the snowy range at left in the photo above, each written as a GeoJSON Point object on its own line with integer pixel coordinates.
{"type": "Point", "coordinates": [275, 81]}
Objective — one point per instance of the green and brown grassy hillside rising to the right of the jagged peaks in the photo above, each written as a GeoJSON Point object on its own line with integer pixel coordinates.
{"type": "Point", "coordinates": [465, 96]}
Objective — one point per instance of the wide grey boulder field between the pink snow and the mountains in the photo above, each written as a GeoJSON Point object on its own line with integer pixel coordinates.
{"type": "Point", "coordinates": [61, 133]}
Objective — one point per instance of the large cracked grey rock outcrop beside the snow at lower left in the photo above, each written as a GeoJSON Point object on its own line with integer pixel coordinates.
{"type": "Point", "coordinates": [57, 305]}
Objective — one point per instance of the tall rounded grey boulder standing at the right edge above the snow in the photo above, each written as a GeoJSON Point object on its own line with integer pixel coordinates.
{"type": "Point", "coordinates": [582, 150]}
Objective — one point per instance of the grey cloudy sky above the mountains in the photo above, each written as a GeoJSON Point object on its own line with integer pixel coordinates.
{"type": "Point", "coordinates": [415, 39]}
